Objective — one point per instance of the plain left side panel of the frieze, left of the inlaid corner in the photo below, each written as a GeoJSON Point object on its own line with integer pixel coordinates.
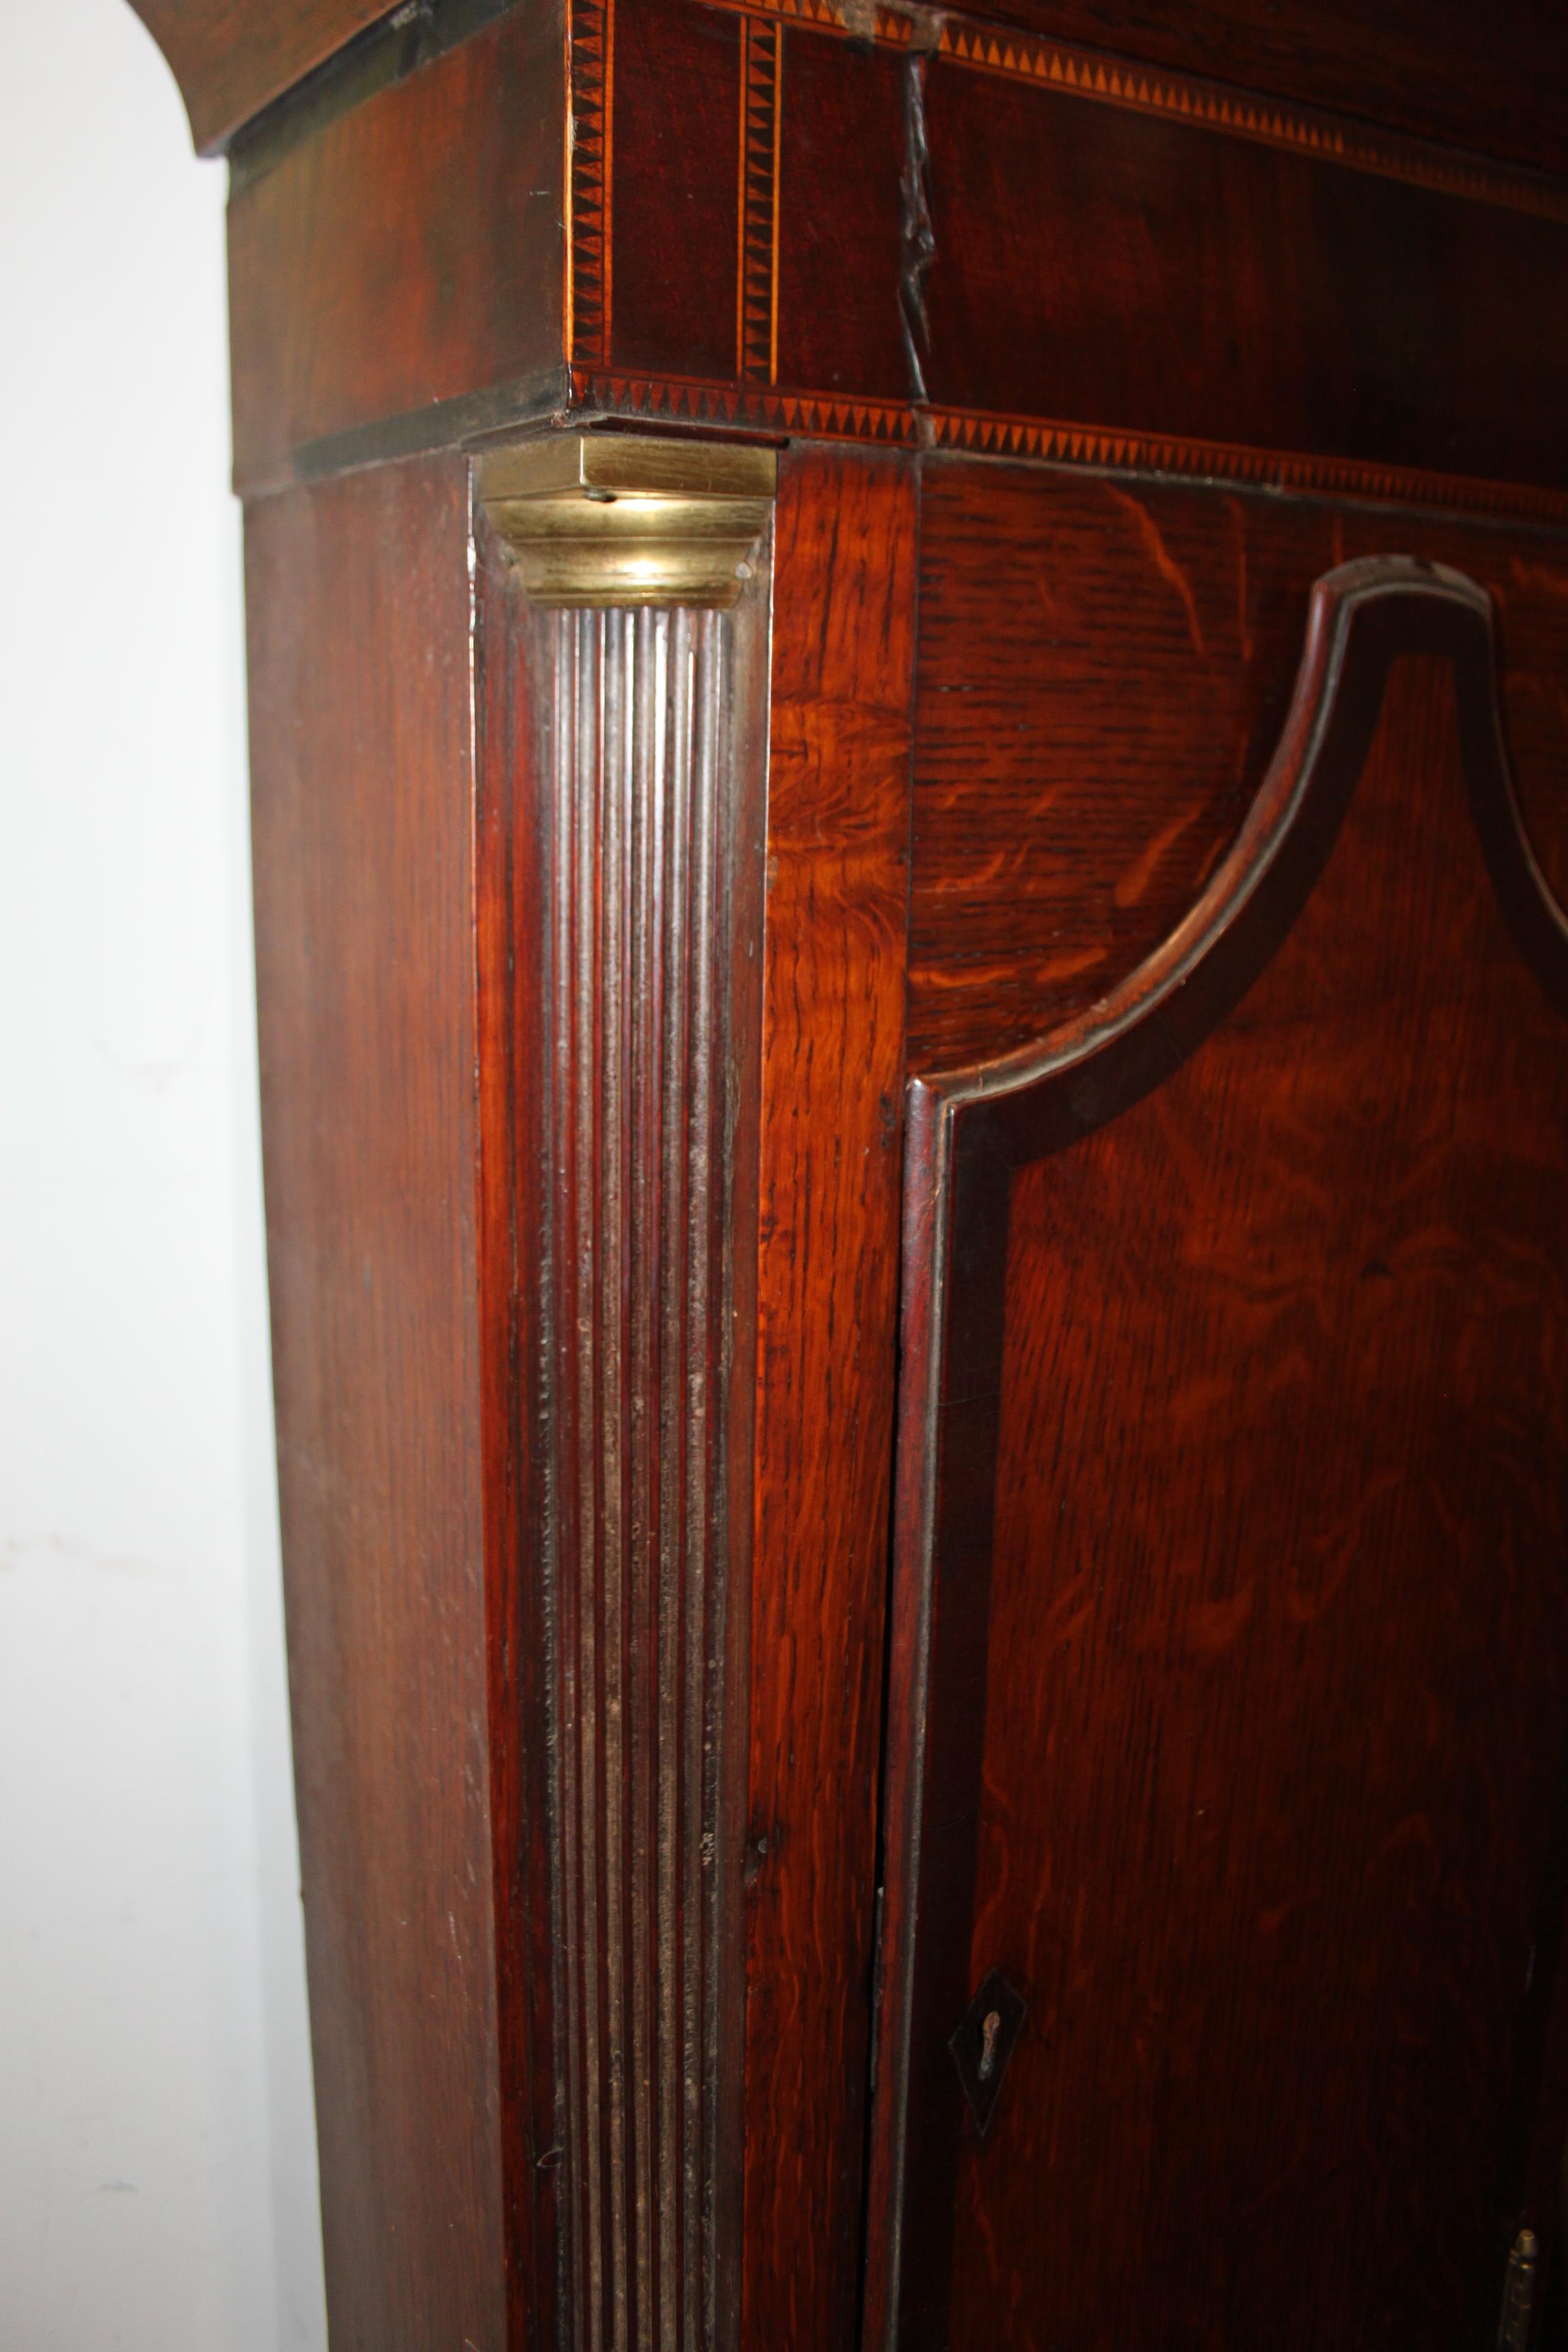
{"type": "Point", "coordinates": [410, 253]}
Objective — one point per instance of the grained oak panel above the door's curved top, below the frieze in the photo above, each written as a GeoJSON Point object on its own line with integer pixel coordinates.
{"type": "Point", "coordinates": [1104, 674]}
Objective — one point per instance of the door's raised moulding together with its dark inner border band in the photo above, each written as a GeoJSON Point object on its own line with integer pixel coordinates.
{"type": "Point", "coordinates": [970, 1132]}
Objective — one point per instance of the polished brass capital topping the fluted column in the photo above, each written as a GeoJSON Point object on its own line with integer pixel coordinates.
{"type": "Point", "coordinates": [622, 519]}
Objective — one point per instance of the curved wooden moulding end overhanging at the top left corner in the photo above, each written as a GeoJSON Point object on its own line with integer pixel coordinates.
{"type": "Point", "coordinates": [234, 58]}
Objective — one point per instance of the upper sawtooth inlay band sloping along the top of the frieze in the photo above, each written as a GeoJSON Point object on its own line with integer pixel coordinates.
{"type": "Point", "coordinates": [1113, 81]}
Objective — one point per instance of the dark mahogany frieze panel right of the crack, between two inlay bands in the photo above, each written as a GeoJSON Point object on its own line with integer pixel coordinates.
{"type": "Point", "coordinates": [1146, 274]}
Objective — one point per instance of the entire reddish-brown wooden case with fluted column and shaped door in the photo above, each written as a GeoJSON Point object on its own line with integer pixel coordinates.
{"type": "Point", "coordinates": [598, 956]}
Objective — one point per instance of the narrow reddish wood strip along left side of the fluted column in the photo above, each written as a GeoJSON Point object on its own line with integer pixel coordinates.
{"type": "Point", "coordinates": [511, 1024]}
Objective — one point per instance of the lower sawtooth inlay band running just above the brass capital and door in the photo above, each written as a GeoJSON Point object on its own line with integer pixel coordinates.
{"type": "Point", "coordinates": [1050, 443]}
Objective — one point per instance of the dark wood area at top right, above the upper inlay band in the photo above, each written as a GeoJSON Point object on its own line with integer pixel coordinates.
{"type": "Point", "coordinates": [1494, 83]}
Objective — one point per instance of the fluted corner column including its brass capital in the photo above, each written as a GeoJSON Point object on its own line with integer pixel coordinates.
{"type": "Point", "coordinates": [631, 747]}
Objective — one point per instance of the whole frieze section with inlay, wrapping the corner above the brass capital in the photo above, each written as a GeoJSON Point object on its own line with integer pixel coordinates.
{"type": "Point", "coordinates": [1386, 319]}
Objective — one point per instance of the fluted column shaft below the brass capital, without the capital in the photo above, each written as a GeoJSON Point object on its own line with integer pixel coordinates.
{"type": "Point", "coordinates": [652, 780]}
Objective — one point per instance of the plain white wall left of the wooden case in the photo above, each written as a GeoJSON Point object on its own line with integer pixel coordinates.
{"type": "Point", "coordinates": [156, 2132]}
